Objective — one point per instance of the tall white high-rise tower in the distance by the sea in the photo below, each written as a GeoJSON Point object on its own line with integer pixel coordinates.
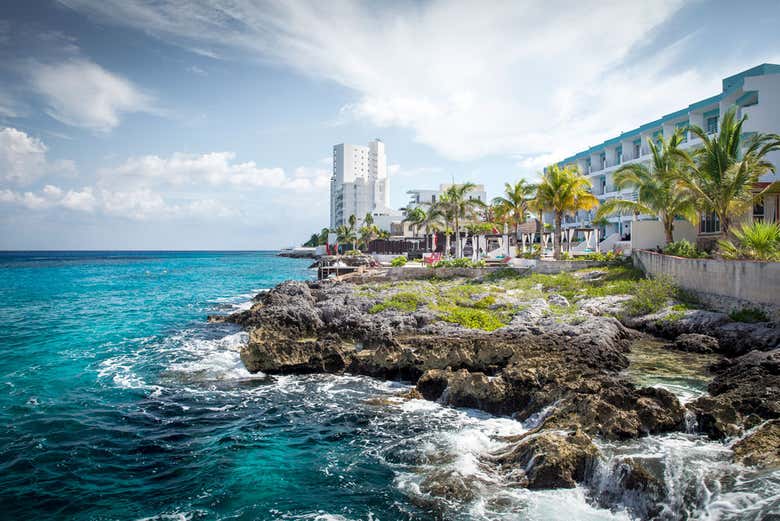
{"type": "Point", "coordinates": [359, 184]}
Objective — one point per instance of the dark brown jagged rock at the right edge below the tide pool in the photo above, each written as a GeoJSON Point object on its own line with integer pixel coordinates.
{"type": "Point", "coordinates": [745, 391]}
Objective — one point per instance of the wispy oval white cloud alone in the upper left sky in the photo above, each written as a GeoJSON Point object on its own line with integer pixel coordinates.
{"type": "Point", "coordinates": [81, 93]}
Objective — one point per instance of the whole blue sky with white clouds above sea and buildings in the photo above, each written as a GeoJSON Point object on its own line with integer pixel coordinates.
{"type": "Point", "coordinates": [173, 124]}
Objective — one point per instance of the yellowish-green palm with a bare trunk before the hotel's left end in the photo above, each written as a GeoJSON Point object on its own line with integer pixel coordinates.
{"type": "Point", "coordinates": [563, 191]}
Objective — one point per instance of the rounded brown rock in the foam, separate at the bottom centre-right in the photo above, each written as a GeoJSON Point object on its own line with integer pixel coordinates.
{"type": "Point", "coordinates": [550, 459]}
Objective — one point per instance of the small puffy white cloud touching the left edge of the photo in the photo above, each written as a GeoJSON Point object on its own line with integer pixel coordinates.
{"type": "Point", "coordinates": [23, 158]}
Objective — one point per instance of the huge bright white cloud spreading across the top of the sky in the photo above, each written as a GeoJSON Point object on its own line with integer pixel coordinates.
{"type": "Point", "coordinates": [520, 78]}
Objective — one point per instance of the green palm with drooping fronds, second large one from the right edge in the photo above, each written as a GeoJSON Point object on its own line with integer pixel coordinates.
{"type": "Point", "coordinates": [659, 190]}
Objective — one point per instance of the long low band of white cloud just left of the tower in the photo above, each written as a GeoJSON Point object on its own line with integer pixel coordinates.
{"type": "Point", "coordinates": [215, 169]}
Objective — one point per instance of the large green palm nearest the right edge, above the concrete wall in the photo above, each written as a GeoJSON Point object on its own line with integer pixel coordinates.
{"type": "Point", "coordinates": [722, 175]}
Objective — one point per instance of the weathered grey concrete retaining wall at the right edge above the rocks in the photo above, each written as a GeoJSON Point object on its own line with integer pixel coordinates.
{"type": "Point", "coordinates": [725, 284]}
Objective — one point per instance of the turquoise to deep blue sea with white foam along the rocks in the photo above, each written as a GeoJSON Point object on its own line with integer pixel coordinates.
{"type": "Point", "coordinates": [121, 402]}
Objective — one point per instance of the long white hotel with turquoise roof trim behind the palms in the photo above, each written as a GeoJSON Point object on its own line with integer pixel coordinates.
{"type": "Point", "coordinates": [755, 92]}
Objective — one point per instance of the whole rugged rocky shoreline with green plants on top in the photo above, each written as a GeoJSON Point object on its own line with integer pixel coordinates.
{"type": "Point", "coordinates": [554, 364]}
